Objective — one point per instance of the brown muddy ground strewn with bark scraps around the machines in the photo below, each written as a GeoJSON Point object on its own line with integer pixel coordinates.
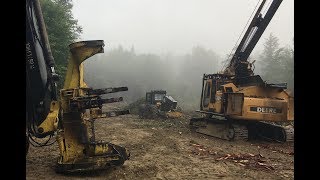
{"type": "Point", "coordinates": [167, 149]}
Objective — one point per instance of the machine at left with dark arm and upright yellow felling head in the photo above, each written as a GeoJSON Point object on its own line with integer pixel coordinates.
{"type": "Point", "coordinates": [70, 114]}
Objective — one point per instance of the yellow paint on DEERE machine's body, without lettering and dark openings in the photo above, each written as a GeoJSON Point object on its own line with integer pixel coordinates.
{"type": "Point", "coordinates": [255, 96]}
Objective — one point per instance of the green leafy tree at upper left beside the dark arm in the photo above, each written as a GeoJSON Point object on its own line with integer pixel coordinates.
{"type": "Point", "coordinates": [62, 30]}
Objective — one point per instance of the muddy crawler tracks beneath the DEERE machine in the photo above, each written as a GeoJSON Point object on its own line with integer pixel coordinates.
{"type": "Point", "coordinates": [231, 130]}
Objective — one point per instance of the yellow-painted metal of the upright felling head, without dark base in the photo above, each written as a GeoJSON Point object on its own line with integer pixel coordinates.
{"type": "Point", "coordinates": [74, 137]}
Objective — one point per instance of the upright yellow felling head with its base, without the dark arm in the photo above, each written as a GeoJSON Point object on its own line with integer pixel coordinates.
{"type": "Point", "coordinates": [75, 134]}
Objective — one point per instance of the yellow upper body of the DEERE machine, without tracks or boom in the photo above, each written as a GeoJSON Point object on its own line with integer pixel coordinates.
{"type": "Point", "coordinates": [256, 103]}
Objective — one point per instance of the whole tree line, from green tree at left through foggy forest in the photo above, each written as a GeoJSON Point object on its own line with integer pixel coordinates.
{"type": "Point", "coordinates": [180, 75]}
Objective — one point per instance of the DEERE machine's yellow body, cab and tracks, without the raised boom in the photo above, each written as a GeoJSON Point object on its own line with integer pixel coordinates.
{"type": "Point", "coordinates": [235, 108]}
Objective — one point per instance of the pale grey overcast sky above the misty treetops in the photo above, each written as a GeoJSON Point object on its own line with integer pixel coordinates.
{"type": "Point", "coordinates": [175, 26]}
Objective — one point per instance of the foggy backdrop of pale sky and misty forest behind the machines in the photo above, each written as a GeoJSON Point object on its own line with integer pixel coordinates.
{"type": "Point", "coordinates": [170, 44]}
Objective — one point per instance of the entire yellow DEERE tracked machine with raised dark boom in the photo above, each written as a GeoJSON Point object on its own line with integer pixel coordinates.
{"type": "Point", "coordinates": [238, 105]}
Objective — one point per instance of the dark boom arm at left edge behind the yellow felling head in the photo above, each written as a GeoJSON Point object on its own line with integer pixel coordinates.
{"type": "Point", "coordinates": [40, 72]}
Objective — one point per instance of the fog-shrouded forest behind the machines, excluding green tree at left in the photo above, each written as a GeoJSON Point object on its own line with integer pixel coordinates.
{"type": "Point", "coordinates": [180, 75]}
